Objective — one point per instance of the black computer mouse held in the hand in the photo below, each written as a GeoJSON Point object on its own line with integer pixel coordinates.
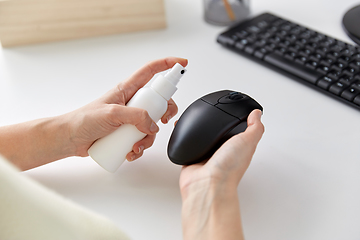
{"type": "Point", "coordinates": [207, 123]}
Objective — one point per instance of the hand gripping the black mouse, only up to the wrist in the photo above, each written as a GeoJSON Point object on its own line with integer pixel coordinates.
{"type": "Point", "coordinates": [231, 160]}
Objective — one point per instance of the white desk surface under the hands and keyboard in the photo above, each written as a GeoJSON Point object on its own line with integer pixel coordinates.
{"type": "Point", "coordinates": [304, 180]}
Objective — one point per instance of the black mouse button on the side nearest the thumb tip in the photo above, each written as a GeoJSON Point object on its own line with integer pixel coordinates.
{"type": "Point", "coordinates": [240, 109]}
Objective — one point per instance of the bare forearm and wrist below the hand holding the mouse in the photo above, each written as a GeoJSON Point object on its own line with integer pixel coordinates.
{"type": "Point", "coordinates": [211, 211]}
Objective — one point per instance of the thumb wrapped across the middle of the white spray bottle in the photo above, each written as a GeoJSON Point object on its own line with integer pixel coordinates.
{"type": "Point", "coordinates": [119, 115]}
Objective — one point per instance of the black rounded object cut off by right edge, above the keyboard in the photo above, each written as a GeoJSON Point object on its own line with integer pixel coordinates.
{"type": "Point", "coordinates": [351, 23]}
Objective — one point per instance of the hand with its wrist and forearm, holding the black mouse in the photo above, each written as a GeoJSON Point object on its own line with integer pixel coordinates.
{"type": "Point", "coordinates": [209, 189]}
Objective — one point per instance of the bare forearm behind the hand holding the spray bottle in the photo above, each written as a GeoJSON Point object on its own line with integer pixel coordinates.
{"type": "Point", "coordinates": [37, 142]}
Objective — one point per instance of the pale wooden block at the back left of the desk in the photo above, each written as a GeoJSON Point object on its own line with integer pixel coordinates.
{"type": "Point", "coordinates": [36, 21]}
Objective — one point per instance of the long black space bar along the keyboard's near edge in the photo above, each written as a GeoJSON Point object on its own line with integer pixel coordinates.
{"type": "Point", "coordinates": [294, 68]}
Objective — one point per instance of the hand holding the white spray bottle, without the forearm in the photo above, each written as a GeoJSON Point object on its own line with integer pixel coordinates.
{"type": "Point", "coordinates": [109, 112]}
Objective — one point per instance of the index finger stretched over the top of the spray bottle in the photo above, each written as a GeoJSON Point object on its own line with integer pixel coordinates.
{"type": "Point", "coordinates": [144, 74]}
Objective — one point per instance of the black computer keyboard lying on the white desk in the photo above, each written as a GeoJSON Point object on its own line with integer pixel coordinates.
{"type": "Point", "coordinates": [322, 62]}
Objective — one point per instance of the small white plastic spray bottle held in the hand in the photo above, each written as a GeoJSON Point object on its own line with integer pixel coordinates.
{"type": "Point", "coordinates": [110, 151]}
